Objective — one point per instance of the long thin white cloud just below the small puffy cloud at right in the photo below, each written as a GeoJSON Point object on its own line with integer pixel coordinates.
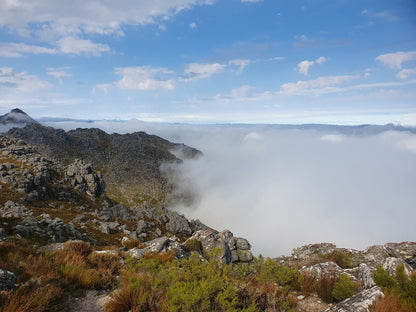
{"type": "Point", "coordinates": [316, 86]}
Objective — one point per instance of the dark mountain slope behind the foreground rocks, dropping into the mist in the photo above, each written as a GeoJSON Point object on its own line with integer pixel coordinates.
{"type": "Point", "coordinates": [130, 163]}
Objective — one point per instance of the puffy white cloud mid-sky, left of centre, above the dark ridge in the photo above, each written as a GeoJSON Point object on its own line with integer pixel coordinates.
{"type": "Point", "coordinates": [144, 78]}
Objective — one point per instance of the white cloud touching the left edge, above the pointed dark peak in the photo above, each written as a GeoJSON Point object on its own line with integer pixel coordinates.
{"type": "Point", "coordinates": [20, 81]}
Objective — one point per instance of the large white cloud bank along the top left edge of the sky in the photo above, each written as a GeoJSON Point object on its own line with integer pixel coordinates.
{"type": "Point", "coordinates": [69, 18]}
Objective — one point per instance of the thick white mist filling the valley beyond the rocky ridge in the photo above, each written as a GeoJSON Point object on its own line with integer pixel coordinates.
{"type": "Point", "coordinates": [283, 188]}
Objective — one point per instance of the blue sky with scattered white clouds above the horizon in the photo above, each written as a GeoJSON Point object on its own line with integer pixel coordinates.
{"type": "Point", "coordinates": [211, 61]}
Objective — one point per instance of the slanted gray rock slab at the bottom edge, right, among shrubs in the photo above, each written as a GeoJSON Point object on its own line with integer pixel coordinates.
{"type": "Point", "coordinates": [360, 302]}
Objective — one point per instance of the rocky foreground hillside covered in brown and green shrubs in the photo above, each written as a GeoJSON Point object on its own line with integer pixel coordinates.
{"type": "Point", "coordinates": [62, 237]}
